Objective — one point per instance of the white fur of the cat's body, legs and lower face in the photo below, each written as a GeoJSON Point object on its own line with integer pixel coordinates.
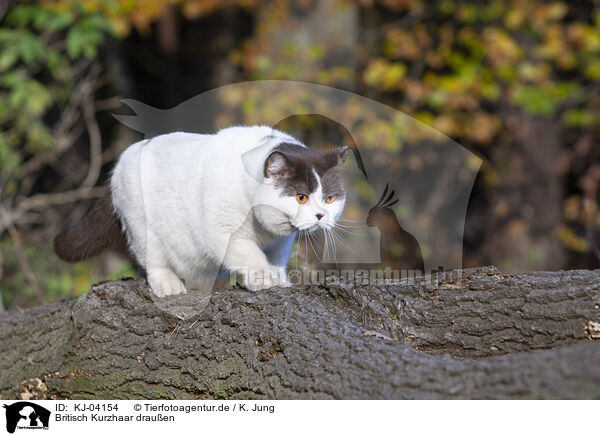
{"type": "Point", "coordinates": [191, 203]}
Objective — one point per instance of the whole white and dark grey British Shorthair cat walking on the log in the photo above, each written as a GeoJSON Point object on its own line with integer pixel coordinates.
{"type": "Point", "coordinates": [187, 205]}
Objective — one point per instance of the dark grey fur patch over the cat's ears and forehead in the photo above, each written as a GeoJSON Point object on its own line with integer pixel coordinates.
{"type": "Point", "coordinates": [293, 167]}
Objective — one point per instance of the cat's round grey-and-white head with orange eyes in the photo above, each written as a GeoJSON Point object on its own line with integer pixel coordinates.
{"type": "Point", "coordinates": [303, 187]}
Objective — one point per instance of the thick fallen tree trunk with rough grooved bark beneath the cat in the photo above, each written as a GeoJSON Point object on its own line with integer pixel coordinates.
{"type": "Point", "coordinates": [479, 335]}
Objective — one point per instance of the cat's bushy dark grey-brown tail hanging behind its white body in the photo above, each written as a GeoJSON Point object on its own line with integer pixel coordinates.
{"type": "Point", "coordinates": [98, 230]}
